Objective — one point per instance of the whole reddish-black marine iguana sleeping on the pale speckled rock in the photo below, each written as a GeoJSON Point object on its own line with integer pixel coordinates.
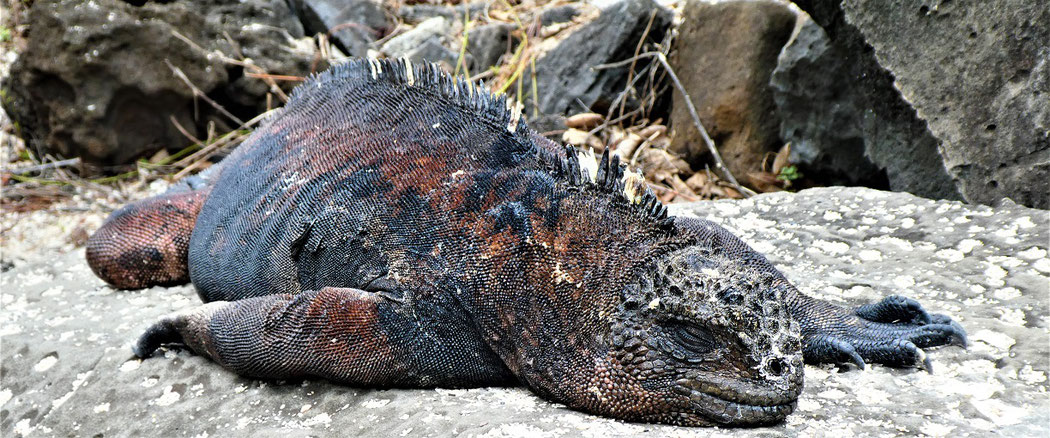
{"type": "Point", "coordinates": [395, 227]}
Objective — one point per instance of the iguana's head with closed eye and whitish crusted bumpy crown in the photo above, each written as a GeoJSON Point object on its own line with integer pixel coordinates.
{"type": "Point", "coordinates": [703, 338]}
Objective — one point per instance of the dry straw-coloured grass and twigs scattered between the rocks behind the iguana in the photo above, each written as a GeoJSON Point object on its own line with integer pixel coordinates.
{"type": "Point", "coordinates": [29, 182]}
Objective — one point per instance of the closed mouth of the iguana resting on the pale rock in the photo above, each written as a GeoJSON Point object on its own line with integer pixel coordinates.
{"type": "Point", "coordinates": [724, 405]}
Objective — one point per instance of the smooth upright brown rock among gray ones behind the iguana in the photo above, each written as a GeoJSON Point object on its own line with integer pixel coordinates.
{"type": "Point", "coordinates": [724, 55]}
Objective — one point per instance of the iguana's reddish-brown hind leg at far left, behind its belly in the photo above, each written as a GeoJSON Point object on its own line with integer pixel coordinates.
{"type": "Point", "coordinates": [146, 243]}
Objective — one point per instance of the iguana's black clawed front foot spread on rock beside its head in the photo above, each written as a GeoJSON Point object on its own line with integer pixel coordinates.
{"type": "Point", "coordinates": [892, 332]}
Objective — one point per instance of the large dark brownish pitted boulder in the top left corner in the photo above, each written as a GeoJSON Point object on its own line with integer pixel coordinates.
{"type": "Point", "coordinates": [94, 82]}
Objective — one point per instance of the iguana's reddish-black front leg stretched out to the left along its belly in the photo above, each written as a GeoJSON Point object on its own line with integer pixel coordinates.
{"type": "Point", "coordinates": [347, 336]}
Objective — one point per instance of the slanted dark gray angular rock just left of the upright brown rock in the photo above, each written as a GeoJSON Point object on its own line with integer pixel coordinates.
{"type": "Point", "coordinates": [565, 80]}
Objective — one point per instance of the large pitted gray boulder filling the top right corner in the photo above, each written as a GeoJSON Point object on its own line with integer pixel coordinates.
{"type": "Point", "coordinates": [968, 81]}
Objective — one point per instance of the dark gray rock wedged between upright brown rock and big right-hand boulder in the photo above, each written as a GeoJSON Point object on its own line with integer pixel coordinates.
{"type": "Point", "coordinates": [821, 112]}
